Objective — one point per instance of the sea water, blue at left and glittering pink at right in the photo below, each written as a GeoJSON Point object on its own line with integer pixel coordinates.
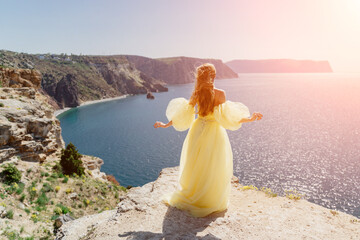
{"type": "Point", "coordinates": [308, 140]}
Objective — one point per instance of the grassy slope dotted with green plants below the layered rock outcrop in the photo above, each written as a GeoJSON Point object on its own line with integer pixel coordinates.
{"type": "Point", "coordinates": [43, 194]}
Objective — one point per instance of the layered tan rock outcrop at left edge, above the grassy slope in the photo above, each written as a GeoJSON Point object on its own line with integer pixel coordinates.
{"type": "Point", "coordinates": [28, 127]}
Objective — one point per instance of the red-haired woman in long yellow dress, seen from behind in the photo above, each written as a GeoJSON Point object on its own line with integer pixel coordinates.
{"type": "Point", "coordinates": [206, 163]}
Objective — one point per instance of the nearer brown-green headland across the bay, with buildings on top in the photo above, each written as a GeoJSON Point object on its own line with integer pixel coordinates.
{"type": "Point", "coordinates": [73, 79]}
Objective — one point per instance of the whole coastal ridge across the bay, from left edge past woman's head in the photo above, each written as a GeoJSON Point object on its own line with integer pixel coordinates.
{"type": "Point", "coordinates": [72, 79]}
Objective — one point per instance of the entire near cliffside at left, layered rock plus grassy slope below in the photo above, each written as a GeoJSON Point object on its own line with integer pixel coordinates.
{"type": "Point", "coordinates": [40, 196]}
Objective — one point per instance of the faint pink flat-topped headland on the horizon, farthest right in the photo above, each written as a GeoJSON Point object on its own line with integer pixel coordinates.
{"type": "Point", "coordinates": [279, 66]}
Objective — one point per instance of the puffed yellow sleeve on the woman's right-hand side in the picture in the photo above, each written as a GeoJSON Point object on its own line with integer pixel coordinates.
{"type": "Point", "coordinates": [229, 113]}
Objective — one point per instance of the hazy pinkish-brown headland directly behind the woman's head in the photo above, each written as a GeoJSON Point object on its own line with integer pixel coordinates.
{"type": "Point", "coordinates": [178, 70]}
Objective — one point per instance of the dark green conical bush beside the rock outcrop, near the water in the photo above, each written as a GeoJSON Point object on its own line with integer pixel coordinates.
{"type": "Point", "coordinates": [71, 161]}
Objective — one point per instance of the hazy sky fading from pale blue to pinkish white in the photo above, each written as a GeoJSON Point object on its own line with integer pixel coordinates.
{"type": "Point", "coordinates": [225, 29]}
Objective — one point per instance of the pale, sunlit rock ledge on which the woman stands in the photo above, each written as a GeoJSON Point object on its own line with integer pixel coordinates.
{"type": "Point", "coordinates": [251, 215]}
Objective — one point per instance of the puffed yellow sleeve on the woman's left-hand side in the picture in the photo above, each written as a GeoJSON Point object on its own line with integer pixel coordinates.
{"type": "Point", "coordinates": [181, 113]}
